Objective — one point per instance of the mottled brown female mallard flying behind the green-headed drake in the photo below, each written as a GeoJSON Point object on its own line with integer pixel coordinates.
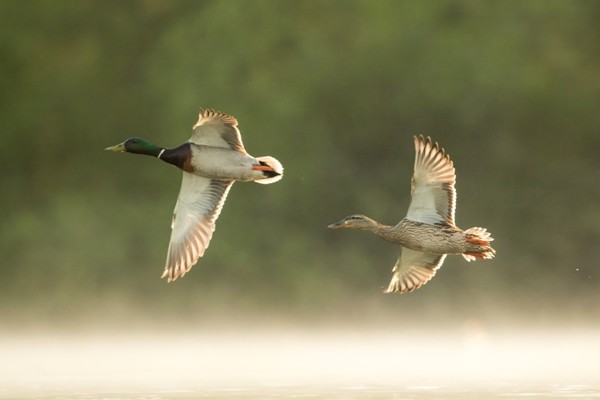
{"type": "Point", "coordinates": [427, 233]}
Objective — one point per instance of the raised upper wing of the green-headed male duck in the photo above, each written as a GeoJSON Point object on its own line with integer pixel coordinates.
{"type": "Point", "coordinates": [217, 129]}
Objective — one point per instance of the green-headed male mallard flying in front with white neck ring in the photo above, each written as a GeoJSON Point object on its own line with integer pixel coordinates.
{"type": "Point", "coordinates": [211, 161]}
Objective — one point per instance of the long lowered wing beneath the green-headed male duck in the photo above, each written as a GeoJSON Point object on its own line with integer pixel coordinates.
{"type": "Point", "coordinates": [198, 206]}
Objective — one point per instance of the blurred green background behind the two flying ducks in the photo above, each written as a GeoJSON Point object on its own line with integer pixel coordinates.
{"type": "Point", "coordinates": [333, 89]}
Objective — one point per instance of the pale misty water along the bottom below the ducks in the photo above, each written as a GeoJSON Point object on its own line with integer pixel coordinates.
{"type": "Point", "coordinates": [310, 365]}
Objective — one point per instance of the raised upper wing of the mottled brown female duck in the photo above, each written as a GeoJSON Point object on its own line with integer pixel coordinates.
{"type": "Point", "coordinates": [432, 187]}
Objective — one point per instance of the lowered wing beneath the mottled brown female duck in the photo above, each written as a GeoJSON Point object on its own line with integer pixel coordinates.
{"type": "Point", "coordinates": [413, 269]}
